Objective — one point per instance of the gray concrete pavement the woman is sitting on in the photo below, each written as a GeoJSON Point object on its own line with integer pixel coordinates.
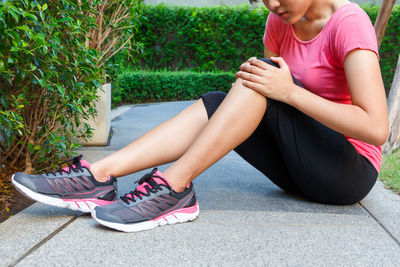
{"type": "Point", "coordinates": [244, 220]}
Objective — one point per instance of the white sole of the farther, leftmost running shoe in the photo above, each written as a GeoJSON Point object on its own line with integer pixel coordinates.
{"type": "Point", "coordinates": [76, 204]}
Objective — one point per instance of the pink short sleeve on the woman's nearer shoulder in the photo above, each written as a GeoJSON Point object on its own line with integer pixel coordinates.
{"type": "Point", "coordinates": [355, 31]}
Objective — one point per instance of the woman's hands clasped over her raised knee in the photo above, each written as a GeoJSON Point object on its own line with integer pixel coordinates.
{"type": "Point", "coordinates": [272, 82]}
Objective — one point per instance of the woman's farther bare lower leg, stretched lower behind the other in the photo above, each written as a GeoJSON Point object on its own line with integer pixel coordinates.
{"type": "Point", "coordinates": [165, 143]}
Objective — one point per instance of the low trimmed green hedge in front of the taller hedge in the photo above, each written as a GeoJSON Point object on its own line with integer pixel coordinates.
{"type": "Point", "coordinates": [144, 86]}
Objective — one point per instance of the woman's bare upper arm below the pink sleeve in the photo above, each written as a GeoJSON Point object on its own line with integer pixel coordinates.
{"type": "Point", "coordinates": [366, 86]}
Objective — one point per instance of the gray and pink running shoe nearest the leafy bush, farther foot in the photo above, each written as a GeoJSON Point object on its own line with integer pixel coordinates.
{"type": "Point", "coordinates": [72, 187]}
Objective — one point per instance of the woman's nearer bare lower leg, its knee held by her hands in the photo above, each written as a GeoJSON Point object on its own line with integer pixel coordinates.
{"type": "Point", "coordinates": [234, 121]}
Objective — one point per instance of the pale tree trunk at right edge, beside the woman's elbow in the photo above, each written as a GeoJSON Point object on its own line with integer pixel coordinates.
{"type": "Point", "coordinates": [394, 113]}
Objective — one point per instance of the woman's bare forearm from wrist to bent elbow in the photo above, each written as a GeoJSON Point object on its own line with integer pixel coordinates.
{"type": "Point", "coordinates": [350, 120]}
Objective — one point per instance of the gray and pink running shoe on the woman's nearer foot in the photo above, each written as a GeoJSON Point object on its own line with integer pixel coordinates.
{"type": "Point", "coordinates": [153, 203]}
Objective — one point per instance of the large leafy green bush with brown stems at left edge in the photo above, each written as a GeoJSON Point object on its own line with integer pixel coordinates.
{"type": "Point", "coordinates": [48, 81]}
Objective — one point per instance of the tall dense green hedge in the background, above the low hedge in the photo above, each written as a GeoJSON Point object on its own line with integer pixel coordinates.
{"type": "Point", "coordinates": [221, 38]}
